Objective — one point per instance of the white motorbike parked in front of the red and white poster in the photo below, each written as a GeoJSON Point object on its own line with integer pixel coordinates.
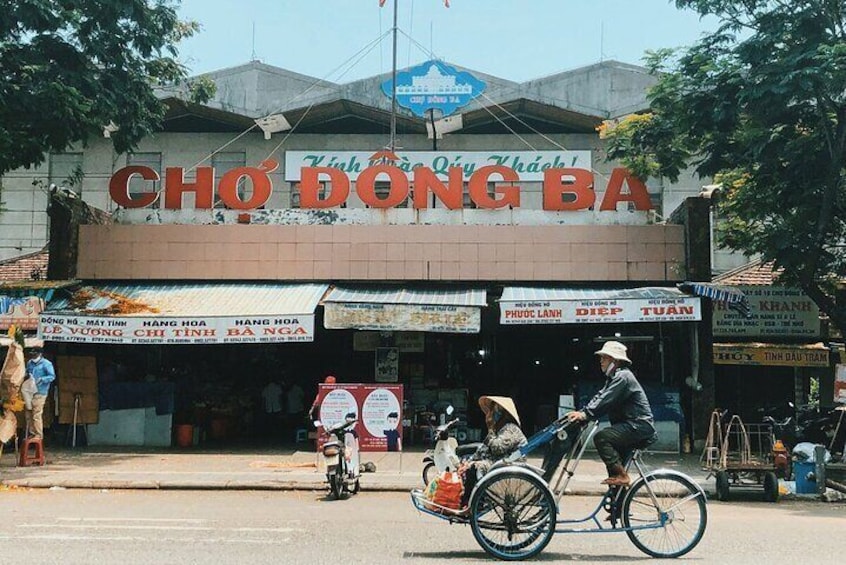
{"type": "Point", "coordinates": [340, 454]}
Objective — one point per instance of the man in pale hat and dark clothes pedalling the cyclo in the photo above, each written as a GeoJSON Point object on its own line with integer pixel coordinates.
{"type": "Point", "coordinates": [622, 399]}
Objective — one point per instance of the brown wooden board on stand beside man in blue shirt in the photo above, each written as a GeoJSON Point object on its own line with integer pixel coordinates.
{"type": "Point", "coordinates": [78, 376]}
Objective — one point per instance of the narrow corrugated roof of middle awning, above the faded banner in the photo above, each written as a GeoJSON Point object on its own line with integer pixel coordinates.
{"type": "Point", "coordinates": [437, 297]}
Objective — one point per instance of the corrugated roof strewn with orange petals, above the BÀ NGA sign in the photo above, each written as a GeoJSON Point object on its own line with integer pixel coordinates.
{"type": "Point", "coordinates": [186, 300]}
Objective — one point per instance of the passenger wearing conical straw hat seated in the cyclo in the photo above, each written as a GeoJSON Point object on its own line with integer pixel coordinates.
{"type": "Point", "coordinates": [504, 436]}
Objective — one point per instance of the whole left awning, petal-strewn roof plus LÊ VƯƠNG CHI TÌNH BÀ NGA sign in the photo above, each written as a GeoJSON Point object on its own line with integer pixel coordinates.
{"type": "Point", "coordinates": [184, 313]}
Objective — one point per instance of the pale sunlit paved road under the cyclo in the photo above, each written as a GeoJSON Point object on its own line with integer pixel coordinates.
{"type": "Point", "coordinates": [221, 527]}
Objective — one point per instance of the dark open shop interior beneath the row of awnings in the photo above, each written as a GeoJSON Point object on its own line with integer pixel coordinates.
{"type": "Point", "coordinates": [217, 390]}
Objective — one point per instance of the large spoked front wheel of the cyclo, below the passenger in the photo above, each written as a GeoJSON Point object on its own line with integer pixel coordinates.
{"type": "Point", "coordinates": [513, 515]}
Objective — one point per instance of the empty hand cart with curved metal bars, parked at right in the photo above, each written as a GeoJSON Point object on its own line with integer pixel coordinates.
{"type": "Point", "coordinates": [740, 455]}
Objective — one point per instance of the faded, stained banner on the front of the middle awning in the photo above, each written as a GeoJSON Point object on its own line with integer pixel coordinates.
{"type": "Point", "coordinates": [401, 317]}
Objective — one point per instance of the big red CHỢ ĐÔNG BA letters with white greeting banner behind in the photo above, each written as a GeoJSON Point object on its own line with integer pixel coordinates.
{"type": "Point", "coordinates": [327, 184]}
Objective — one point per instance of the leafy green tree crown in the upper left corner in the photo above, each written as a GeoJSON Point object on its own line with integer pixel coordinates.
{"type": "Point", "coordinates": [69, 68]}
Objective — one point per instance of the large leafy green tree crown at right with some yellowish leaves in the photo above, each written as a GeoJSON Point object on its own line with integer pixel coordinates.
{"type": "Point", "coordinates": [759, 105]}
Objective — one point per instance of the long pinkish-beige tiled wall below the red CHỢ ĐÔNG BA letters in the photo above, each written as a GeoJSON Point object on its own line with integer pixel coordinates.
{"type": "Point", "coordinates": [360, 252]}
